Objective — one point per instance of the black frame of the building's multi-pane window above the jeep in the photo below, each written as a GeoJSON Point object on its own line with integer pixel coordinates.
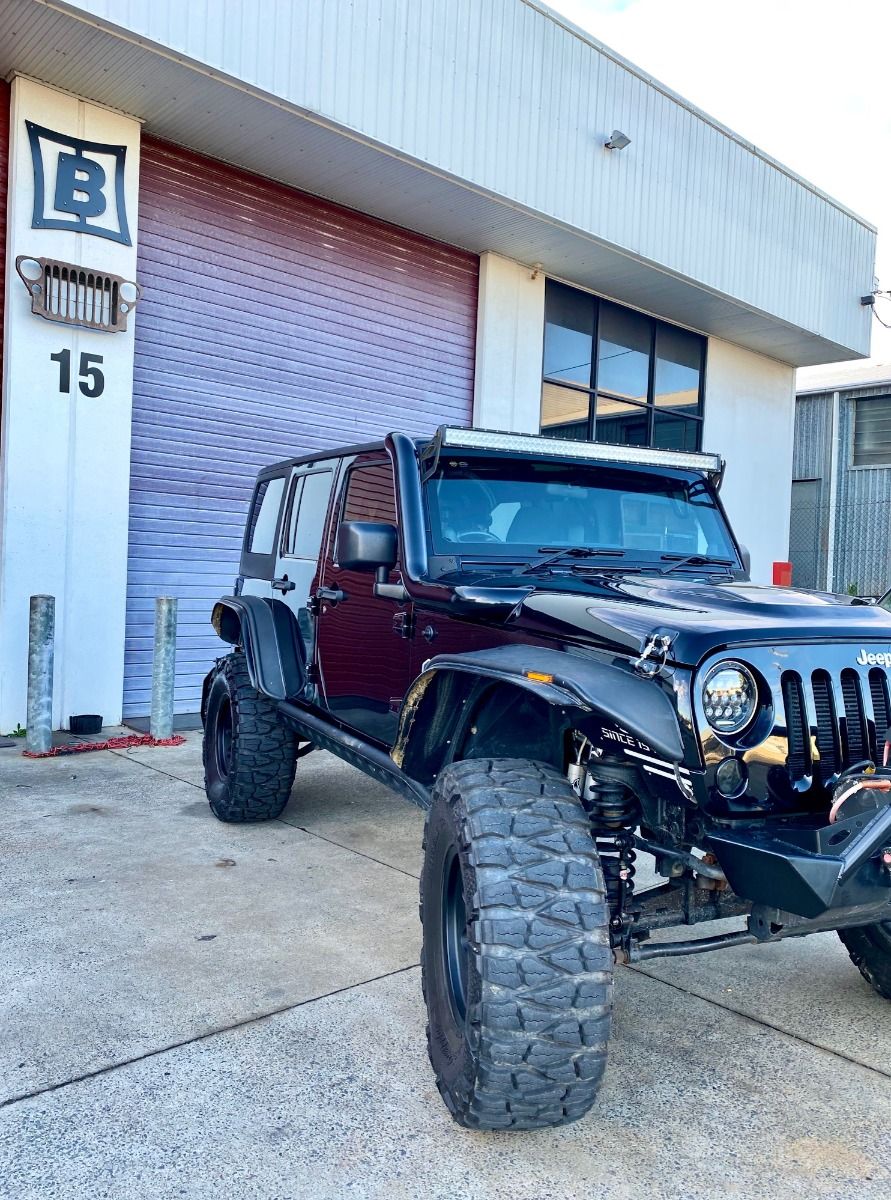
{"type": "Point", "coordinates": [593, 392]}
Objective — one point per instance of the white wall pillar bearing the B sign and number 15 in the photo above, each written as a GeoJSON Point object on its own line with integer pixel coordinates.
{"type": "Point", "coordinates": [64, 457]}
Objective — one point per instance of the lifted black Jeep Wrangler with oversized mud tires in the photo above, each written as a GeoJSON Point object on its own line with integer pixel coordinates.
{"type": "Point", "coordinates": [554, 649]}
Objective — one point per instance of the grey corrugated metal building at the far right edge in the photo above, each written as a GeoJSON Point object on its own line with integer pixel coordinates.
{"type": "Point", "coordinates": [841, 513]}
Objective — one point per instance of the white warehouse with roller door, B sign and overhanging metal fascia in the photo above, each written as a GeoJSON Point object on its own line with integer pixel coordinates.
{"type": "Point", "coordinates": [242, 232]}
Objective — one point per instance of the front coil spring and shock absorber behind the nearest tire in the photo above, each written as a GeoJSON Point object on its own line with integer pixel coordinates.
{"type": "Point", "coordinates": [615, 815]}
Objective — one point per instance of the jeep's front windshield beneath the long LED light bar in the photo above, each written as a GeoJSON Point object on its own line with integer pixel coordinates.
{"type": "Point", "coordinates": [499, 507]}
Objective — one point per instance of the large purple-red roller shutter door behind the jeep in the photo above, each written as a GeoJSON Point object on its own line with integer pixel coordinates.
{"type": "Point", "coordinates": [272, 325]}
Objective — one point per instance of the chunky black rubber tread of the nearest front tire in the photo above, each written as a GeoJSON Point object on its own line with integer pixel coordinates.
{"type": "Point", "coordinates": [541, 934]}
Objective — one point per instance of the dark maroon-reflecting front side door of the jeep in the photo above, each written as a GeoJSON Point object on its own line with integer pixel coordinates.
{"type": "Point", "coordinates": [363, 645]}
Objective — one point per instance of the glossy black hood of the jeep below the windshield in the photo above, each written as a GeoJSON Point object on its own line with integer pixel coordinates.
{"type": "Point", "coordinates": [623, 611]}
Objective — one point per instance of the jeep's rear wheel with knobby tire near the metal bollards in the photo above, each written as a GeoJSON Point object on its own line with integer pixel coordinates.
{"type": "Point", "coordinates": [249, 755]}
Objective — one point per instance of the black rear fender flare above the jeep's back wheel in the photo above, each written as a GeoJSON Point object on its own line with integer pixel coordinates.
{"type": "Point", "coordinates": [268, 634]}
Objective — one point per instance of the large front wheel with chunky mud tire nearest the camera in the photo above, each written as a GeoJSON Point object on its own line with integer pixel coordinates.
{"type": "Point", "coordinates": [517, 961]}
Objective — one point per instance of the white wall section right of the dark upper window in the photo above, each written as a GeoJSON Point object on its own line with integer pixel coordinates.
{"type": "Point", "coordinates": [750, 419]}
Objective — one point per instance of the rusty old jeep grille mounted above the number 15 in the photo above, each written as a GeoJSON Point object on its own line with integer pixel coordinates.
{"type": "Point", "coordinates": [77, 296]}
